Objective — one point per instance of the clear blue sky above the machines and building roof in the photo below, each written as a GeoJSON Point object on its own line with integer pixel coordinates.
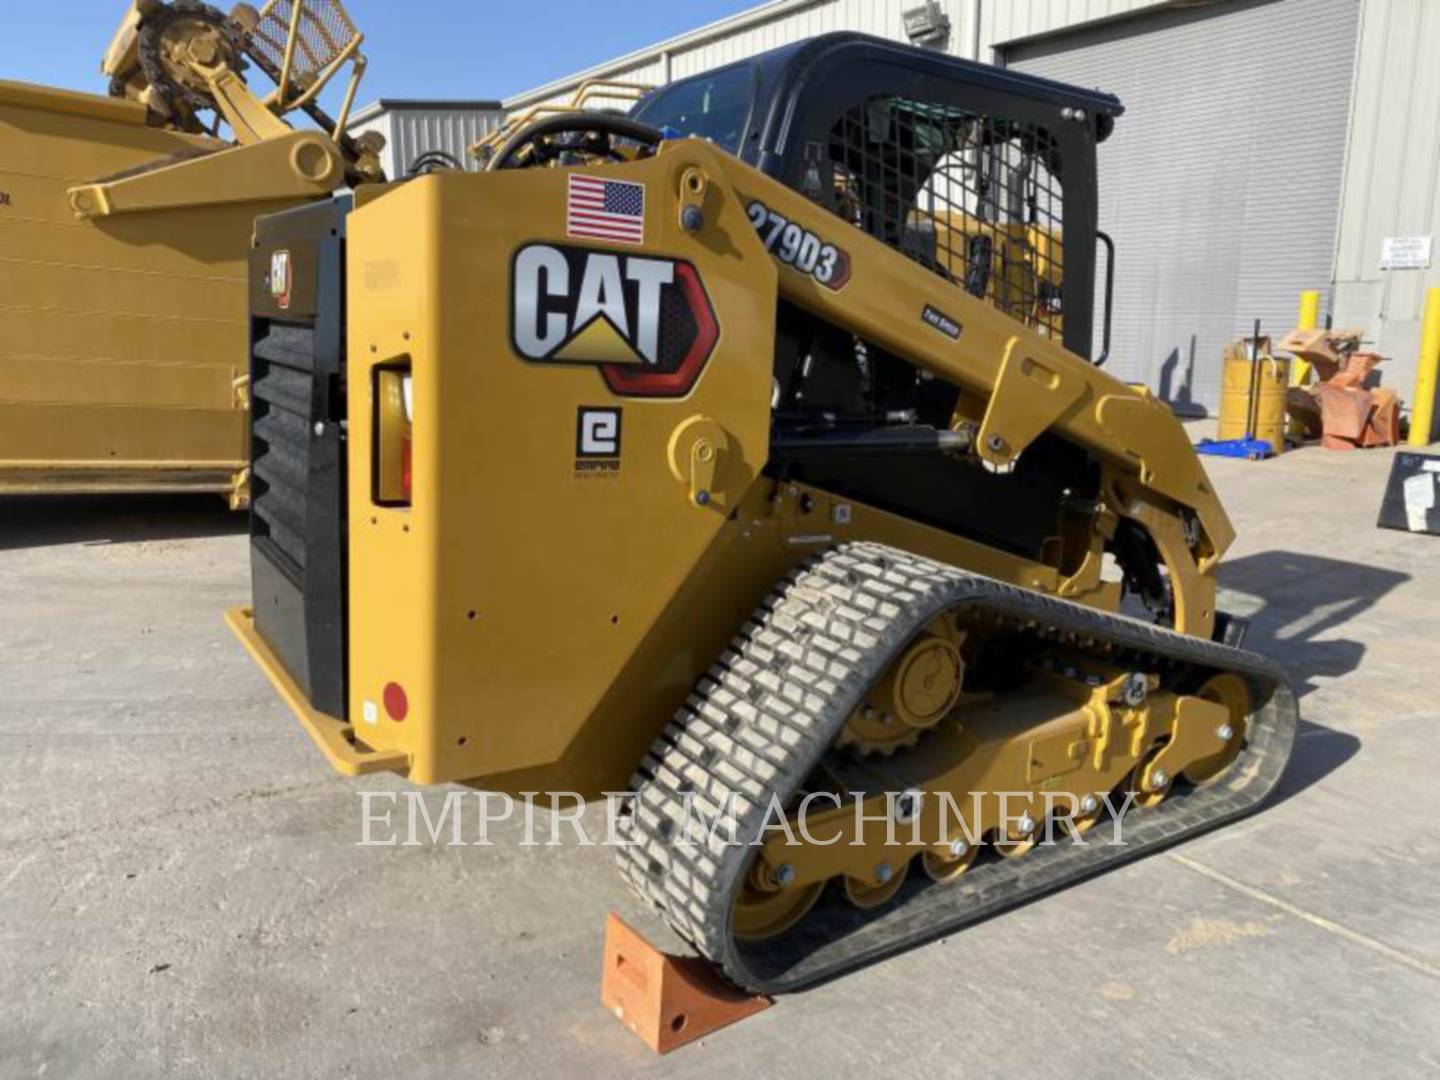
{"type": "Point", "coordinates": [417, 48]}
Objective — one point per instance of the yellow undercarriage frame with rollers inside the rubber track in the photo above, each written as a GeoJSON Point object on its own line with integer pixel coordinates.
{"type": "Point", "coordinates": [1056, 752]}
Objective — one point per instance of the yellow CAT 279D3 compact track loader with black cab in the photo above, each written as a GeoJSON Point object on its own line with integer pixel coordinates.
{"type": "Point", "coordinates": [696, 453]}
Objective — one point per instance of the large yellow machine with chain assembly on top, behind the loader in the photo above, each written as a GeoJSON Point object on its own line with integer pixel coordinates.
{"type": "Point", "coordinates": [126, 225]}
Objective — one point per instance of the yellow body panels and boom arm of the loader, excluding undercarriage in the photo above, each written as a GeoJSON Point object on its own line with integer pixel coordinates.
{"type": "Point", "coordinates": [453, 598]}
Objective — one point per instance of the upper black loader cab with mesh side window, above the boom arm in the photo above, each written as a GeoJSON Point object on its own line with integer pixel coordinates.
{"type": "Point", "coordinates": [983, 175]}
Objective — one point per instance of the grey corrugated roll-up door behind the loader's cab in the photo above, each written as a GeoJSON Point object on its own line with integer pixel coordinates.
{"type": "Point", "coordinates": [1222, 181]}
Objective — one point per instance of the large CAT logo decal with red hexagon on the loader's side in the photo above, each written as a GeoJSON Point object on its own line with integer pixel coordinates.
{"type": "Point", "coordinates": [646, 322]}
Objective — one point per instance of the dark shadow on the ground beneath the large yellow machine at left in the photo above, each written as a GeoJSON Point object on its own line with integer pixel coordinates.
{"type": "Point", "coordinates": [114, 521]}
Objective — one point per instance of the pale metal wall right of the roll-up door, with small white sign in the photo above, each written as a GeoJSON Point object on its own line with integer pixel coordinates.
{"type": "Point", "coordinates": [1392, 179]}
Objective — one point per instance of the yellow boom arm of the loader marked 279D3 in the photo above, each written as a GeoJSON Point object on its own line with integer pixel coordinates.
{"type": "Point", "coordinates": [1032, 384]}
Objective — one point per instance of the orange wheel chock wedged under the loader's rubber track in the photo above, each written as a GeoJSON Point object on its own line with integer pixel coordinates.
{"type": "Point", "coordinates": [669, 1002]}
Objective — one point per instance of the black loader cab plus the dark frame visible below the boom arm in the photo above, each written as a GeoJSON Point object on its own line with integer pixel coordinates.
{"type": "Point", "coordinates": [984, 176]}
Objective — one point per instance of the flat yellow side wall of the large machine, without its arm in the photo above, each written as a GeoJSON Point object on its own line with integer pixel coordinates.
{"type": "Point", "coordinates": [122, 345]}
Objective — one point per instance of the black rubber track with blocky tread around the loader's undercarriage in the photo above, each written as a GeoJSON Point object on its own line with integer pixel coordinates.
{"type": "Point", "coordinates": [768, 712]}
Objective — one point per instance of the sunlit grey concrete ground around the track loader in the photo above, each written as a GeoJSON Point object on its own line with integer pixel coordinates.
{"type": "Point", "coordinates": [182, 895]}
